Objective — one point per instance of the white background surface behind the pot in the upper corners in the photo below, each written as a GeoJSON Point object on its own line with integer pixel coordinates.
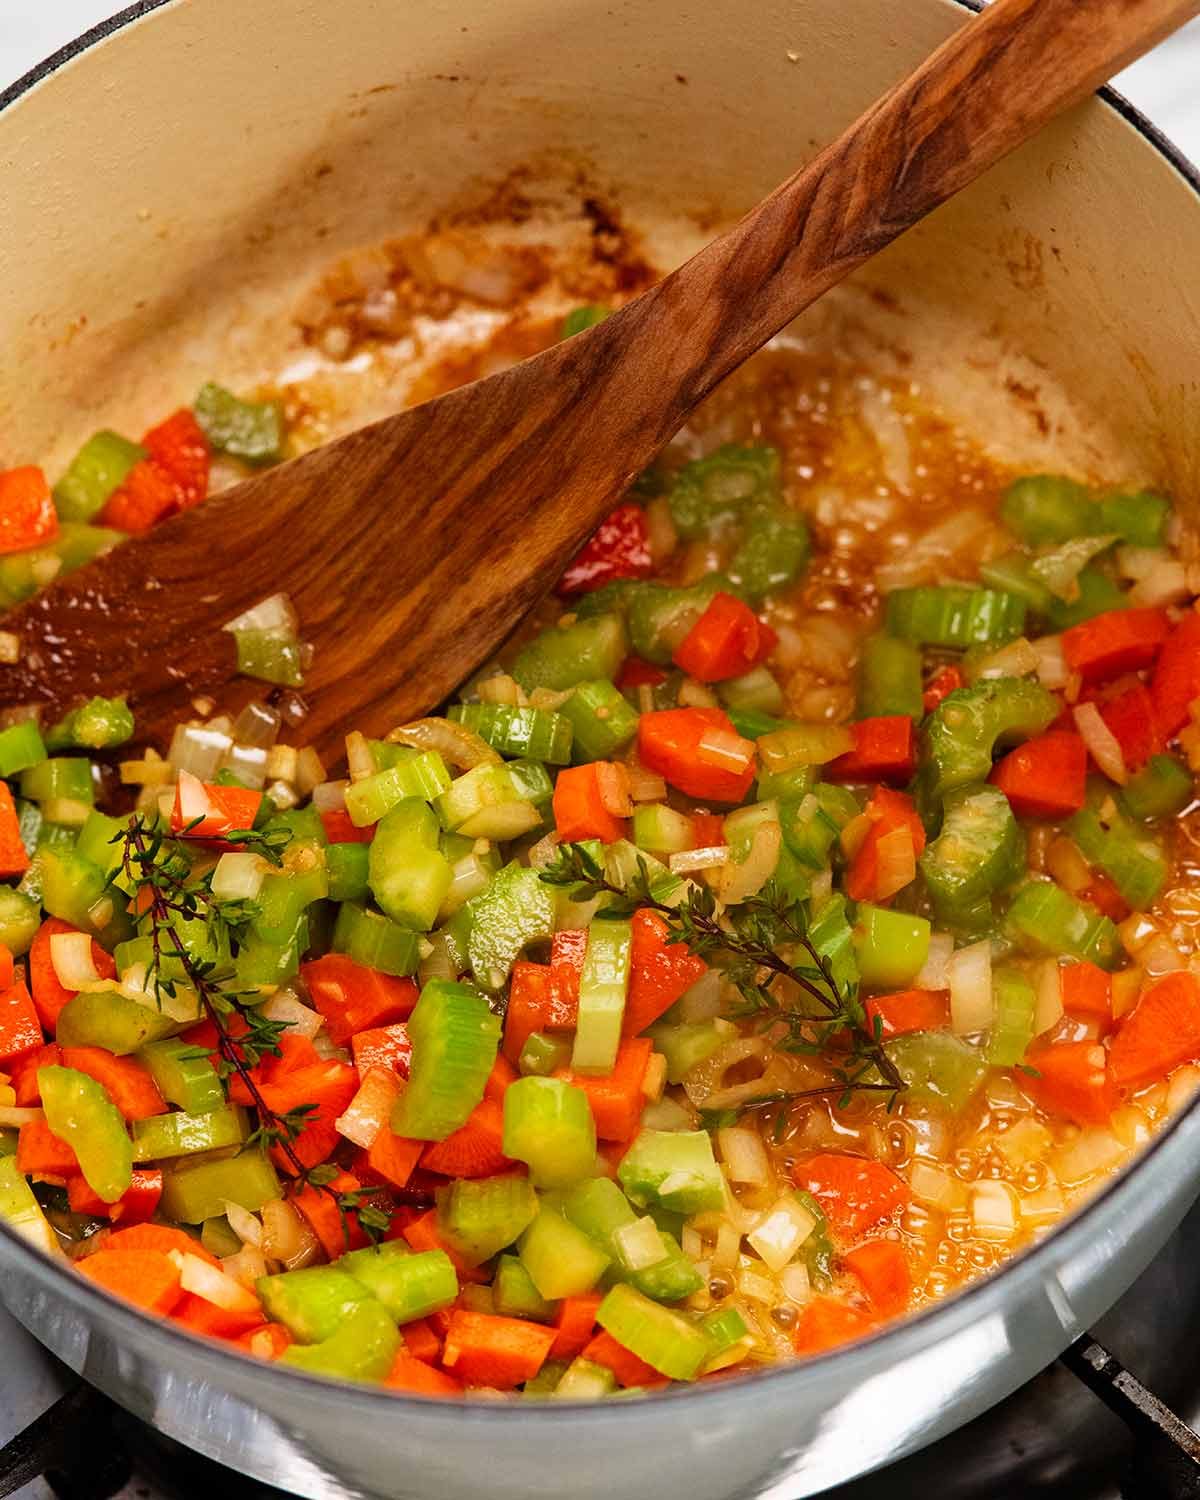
{"type": "Point", "coordinates": [1166, 86]}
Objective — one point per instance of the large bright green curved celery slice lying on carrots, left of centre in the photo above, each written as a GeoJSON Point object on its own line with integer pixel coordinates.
{"type": "Point", "coordinates": [455, 1040]}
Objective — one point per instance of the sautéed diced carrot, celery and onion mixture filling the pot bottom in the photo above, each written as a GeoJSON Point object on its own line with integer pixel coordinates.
{"type": "Point", "coordinates": [757, 953]}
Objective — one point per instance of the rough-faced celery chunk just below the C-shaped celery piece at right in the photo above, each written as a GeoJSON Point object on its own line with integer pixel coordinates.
{"type": "Point", "coordinates": [979, 851]}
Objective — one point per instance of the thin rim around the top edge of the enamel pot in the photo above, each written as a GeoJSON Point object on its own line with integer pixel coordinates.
{"type": "Point", "coordinates": [974, 1303]}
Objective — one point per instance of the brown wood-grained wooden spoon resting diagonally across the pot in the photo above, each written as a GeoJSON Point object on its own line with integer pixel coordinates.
{"type": "Point", "coordinates": [413, 547]}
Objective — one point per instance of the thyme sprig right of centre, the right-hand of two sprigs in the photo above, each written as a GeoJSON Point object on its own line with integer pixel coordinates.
{"type": "Point", "coordinates": [755, 935]}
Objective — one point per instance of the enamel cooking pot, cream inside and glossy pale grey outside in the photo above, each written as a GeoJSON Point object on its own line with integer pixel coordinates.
{"type": "Point", "coordinates": [176, 178]}
